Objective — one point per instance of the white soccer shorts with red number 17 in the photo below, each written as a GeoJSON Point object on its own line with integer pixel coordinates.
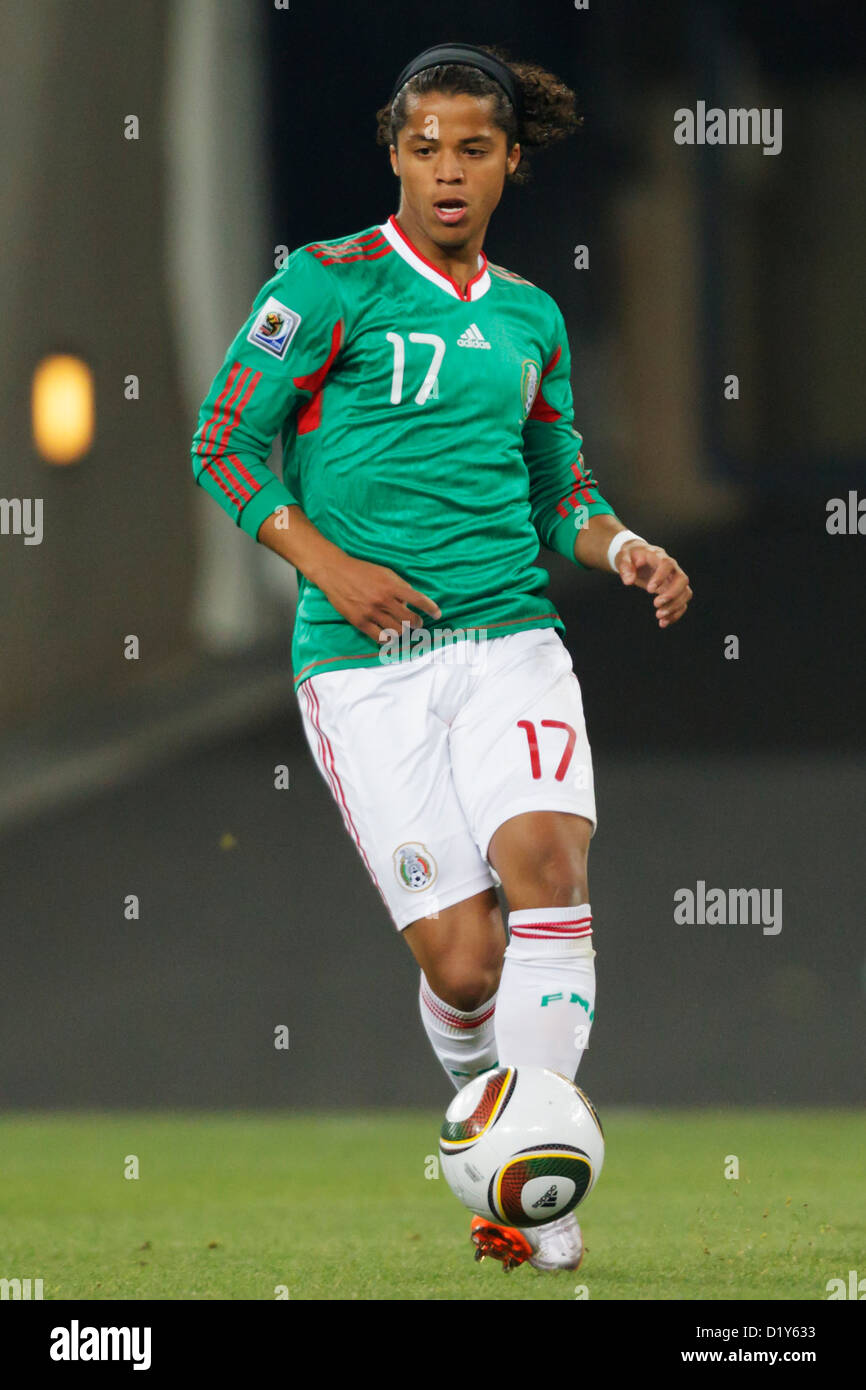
{"type": "Point", "coordinates": [427, 757]}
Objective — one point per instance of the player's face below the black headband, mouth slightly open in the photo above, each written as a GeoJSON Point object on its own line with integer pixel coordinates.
{"type": "Point", "coordinates": [450, 152]}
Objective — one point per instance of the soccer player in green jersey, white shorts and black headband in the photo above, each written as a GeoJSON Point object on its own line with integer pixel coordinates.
{"type": "Point", "coordinates": [425, 402]}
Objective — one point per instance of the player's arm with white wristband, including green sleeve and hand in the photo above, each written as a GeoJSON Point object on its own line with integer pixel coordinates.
{"type": "Point", "coordinates": [568, 509]}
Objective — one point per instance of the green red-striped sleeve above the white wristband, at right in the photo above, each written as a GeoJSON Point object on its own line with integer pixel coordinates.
{"type": "Point", "coordinates": [559, 479]}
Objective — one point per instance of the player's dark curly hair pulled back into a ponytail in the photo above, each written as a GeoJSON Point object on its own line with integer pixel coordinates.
{"type": "Point", "coordinates": [548, 105]}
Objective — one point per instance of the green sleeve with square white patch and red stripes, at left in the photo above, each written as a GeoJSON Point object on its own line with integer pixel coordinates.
{"type": "Point", "coordinates": [275, 366]}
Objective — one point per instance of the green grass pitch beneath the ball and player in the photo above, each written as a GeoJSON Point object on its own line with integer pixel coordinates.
{"type": "Point", "coordinates": [338, 1207]}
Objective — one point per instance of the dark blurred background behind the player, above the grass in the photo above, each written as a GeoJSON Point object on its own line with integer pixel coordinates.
{"type": "Point", "coordinates": [123, 778]}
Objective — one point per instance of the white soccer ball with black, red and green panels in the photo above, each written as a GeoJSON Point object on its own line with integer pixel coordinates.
{"type": "Point", "coordinates": [522, 1146]}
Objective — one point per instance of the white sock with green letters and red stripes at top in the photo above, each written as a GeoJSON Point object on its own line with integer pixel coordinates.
{"type": "Point", "coordinates": [547, 995]}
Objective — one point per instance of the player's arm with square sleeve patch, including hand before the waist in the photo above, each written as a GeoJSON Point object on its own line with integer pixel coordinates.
{"type": "Point", "coordinates": [279, 359]}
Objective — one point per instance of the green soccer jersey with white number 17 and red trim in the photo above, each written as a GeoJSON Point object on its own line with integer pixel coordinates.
{"type": "Point", "coordinates": [425, 427]}
